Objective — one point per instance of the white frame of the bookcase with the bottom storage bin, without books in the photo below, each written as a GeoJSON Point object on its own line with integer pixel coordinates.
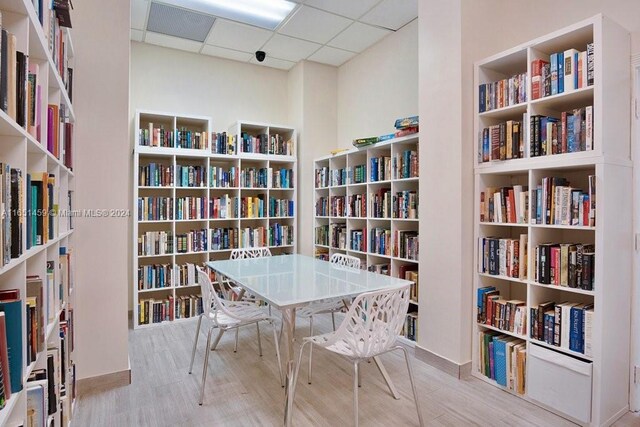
{"type": "Point", "coordinates": [589, 390]}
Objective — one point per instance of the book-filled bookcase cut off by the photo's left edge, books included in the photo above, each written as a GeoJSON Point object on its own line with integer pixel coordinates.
{"type": "Point", "coordinates": [37, 185]}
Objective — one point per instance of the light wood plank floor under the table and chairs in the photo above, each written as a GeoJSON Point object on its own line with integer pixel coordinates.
{"type": "Point", "coordinates": [243, 390]}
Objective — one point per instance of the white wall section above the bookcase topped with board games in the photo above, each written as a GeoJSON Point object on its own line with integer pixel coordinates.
{"type": "Point", "coordinates": [378, 86]}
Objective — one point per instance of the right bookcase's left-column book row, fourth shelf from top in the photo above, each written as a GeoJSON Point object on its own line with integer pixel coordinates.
{"type": "Point", "coordinates": [503, 256]}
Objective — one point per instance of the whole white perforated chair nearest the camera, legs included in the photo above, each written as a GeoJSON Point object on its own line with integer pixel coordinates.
{"type": "Point", "coordinates": [369, 329]}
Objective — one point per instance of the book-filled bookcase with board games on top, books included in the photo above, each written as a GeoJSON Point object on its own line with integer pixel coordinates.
{"type": "Point", "coordinates": [350, 215]}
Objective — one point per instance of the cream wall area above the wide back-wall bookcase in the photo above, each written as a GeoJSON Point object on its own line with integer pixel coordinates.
{"type": "Point", "coordinates": [175, 81]}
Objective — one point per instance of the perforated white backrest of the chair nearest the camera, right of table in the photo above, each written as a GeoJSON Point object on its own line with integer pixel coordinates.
{"type": "Point", "coordinates": [374, 321]}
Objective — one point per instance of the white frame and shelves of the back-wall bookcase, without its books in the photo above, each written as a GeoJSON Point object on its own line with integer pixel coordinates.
{"type": "Point", "coordinates": [144, 155]}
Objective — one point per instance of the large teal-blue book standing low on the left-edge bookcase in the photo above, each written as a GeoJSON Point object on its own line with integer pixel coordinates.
{"type": "Point", "coordinates": [13, 324]}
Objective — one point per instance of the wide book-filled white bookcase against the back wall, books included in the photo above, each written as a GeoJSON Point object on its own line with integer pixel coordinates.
{"type": "Point", "coordinates": [210, 189]}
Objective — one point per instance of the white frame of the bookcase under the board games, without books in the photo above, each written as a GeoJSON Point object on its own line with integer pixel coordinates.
{"type": "Point", "coordinates": [352, 221]}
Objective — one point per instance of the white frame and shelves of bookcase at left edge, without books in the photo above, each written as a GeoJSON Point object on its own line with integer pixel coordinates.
{"type": "Point", "coordinates": [21, 150]}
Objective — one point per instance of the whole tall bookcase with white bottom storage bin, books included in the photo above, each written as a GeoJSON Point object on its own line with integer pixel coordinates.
{"type": "Point", "coordinates": [581, 369]}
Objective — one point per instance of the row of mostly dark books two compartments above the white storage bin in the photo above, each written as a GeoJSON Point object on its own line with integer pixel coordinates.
{"type": "Point", "coordinates": [565, 264]}
